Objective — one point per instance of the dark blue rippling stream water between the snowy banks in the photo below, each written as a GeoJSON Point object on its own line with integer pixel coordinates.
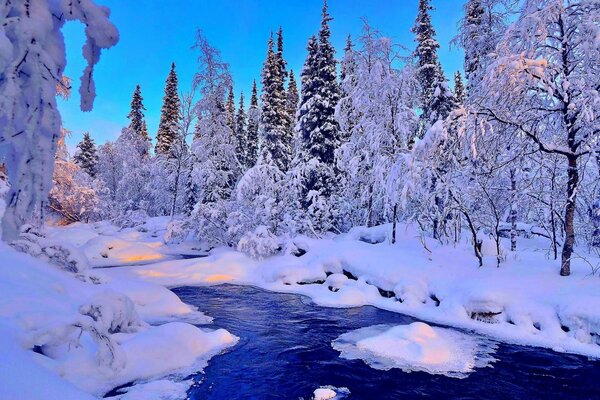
{"type": "Point", "coordinates": [285, 353]}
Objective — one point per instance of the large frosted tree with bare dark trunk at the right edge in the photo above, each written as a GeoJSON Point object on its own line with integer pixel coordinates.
{"type": "Point", "coordinates": [545, 86]}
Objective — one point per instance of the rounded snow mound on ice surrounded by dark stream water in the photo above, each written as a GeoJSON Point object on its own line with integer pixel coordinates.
{"type": "Point", "coordinates": [417, 347]}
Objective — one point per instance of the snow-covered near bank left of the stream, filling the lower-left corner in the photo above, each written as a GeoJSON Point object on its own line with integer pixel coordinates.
{"type": "Point", "coordinates": [67, 336]}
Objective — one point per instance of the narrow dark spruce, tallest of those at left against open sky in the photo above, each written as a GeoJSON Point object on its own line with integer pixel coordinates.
{"type": "Point", "coordinates": [169, 118]}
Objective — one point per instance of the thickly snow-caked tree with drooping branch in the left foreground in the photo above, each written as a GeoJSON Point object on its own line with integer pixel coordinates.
{"type": "Point", "coordinates": [32, 62]}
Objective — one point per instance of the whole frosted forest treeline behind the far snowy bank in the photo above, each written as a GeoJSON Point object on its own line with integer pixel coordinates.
{"type": "Point", "coordinates": [514, 151]}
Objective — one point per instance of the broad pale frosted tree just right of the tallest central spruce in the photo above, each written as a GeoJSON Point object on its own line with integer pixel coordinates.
{"type": "Point", "coordinates": [380, 100]}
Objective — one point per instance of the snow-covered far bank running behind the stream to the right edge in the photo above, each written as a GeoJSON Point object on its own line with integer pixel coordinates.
{"type": "Point", "coordinates": [525, 301]}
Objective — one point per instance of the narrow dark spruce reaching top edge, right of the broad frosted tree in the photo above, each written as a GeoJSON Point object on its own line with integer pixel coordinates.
{"type": "Point", "coordinates": [429, 70]}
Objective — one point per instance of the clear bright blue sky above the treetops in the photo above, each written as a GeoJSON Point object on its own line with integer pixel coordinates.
{"type": "Point", "coordinates": [156, 32]}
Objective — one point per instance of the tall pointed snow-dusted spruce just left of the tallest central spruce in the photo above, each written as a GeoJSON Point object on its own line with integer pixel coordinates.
{"type": "Point", "coordinates": [275, 146]}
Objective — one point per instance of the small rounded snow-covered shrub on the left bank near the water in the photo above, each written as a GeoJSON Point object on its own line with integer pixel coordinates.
{"type": "Point", "coordinates": [113, 311]}
